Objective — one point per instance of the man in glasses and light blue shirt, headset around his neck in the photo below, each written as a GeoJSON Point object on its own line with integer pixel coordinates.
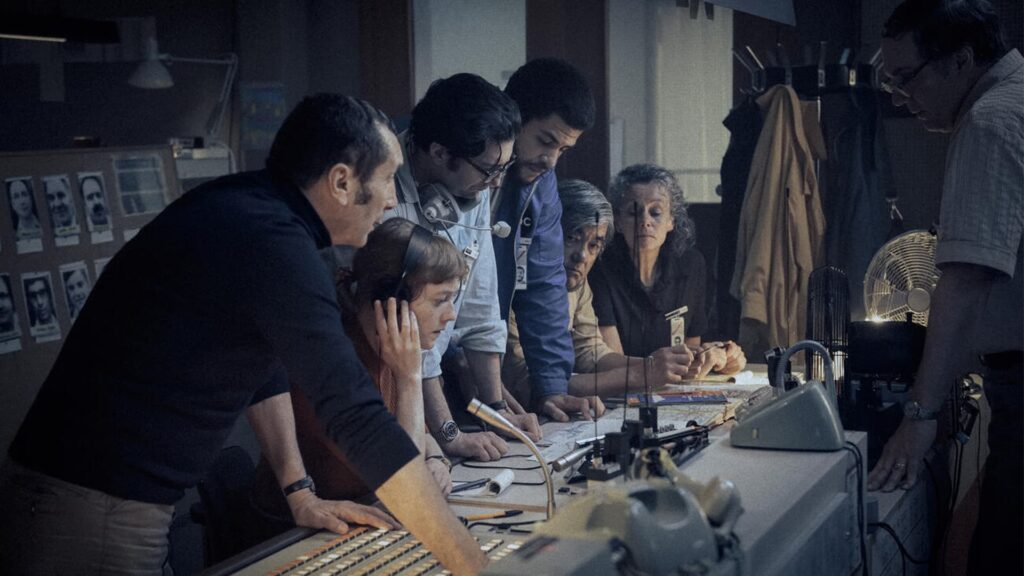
{"type": "Point", "coordinates": [458, 147]}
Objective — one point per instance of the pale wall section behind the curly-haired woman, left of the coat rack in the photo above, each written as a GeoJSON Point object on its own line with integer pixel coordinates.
{"type": "Point", "coordinates": [670, 87]}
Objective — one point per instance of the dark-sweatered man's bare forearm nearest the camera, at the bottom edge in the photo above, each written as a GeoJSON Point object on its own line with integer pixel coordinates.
{"type": "Point", "coordinates": [426, 515]}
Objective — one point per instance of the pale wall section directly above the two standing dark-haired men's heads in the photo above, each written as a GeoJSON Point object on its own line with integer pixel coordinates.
{"type": "Point", "coordinates": [453, 36]}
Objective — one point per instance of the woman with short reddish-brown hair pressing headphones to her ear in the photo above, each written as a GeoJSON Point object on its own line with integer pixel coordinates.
{"type": "Point", "coordinates": [397, 301]}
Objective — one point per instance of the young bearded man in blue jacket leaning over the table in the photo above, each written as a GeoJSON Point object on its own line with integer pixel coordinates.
{"type": "Point", "coordinates": [557, 106]}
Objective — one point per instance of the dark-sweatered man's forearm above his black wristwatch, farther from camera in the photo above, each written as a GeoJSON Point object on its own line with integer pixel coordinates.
{"type": "Point", "coordinates": [274, 423]}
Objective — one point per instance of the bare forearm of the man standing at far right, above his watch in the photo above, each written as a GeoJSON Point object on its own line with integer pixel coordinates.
{"type": "Point", "coordinates": [962, 292]}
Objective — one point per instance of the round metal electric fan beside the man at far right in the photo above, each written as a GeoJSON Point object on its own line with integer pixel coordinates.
{"type": "Point", "coordinates": [902, 278]}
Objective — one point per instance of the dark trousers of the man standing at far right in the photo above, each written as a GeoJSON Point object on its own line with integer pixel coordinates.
{"type": "Point", "coordinates": [998, 547]}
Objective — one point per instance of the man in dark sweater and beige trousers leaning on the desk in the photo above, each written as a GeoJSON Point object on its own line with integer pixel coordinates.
{"type": "Point", "coordinates": [209, 313]}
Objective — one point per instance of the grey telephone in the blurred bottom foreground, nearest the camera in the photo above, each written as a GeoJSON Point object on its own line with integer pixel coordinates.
{"type": "Point", "coordinates": [662, 523]}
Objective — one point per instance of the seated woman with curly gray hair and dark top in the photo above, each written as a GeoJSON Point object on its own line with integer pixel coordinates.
{"type": "Point", "coordinates": [653, 271]}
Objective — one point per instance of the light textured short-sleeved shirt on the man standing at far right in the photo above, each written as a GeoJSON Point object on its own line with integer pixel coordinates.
{"type": "Point", "coordinates": [983, 213]}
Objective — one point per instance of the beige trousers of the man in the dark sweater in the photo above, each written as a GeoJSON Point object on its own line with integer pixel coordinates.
{"type": "Point", "coordinates": [49, 526]}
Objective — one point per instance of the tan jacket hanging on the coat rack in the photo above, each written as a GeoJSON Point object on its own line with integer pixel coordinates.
{"type": "Point", "coordinates": [782, 226]}
